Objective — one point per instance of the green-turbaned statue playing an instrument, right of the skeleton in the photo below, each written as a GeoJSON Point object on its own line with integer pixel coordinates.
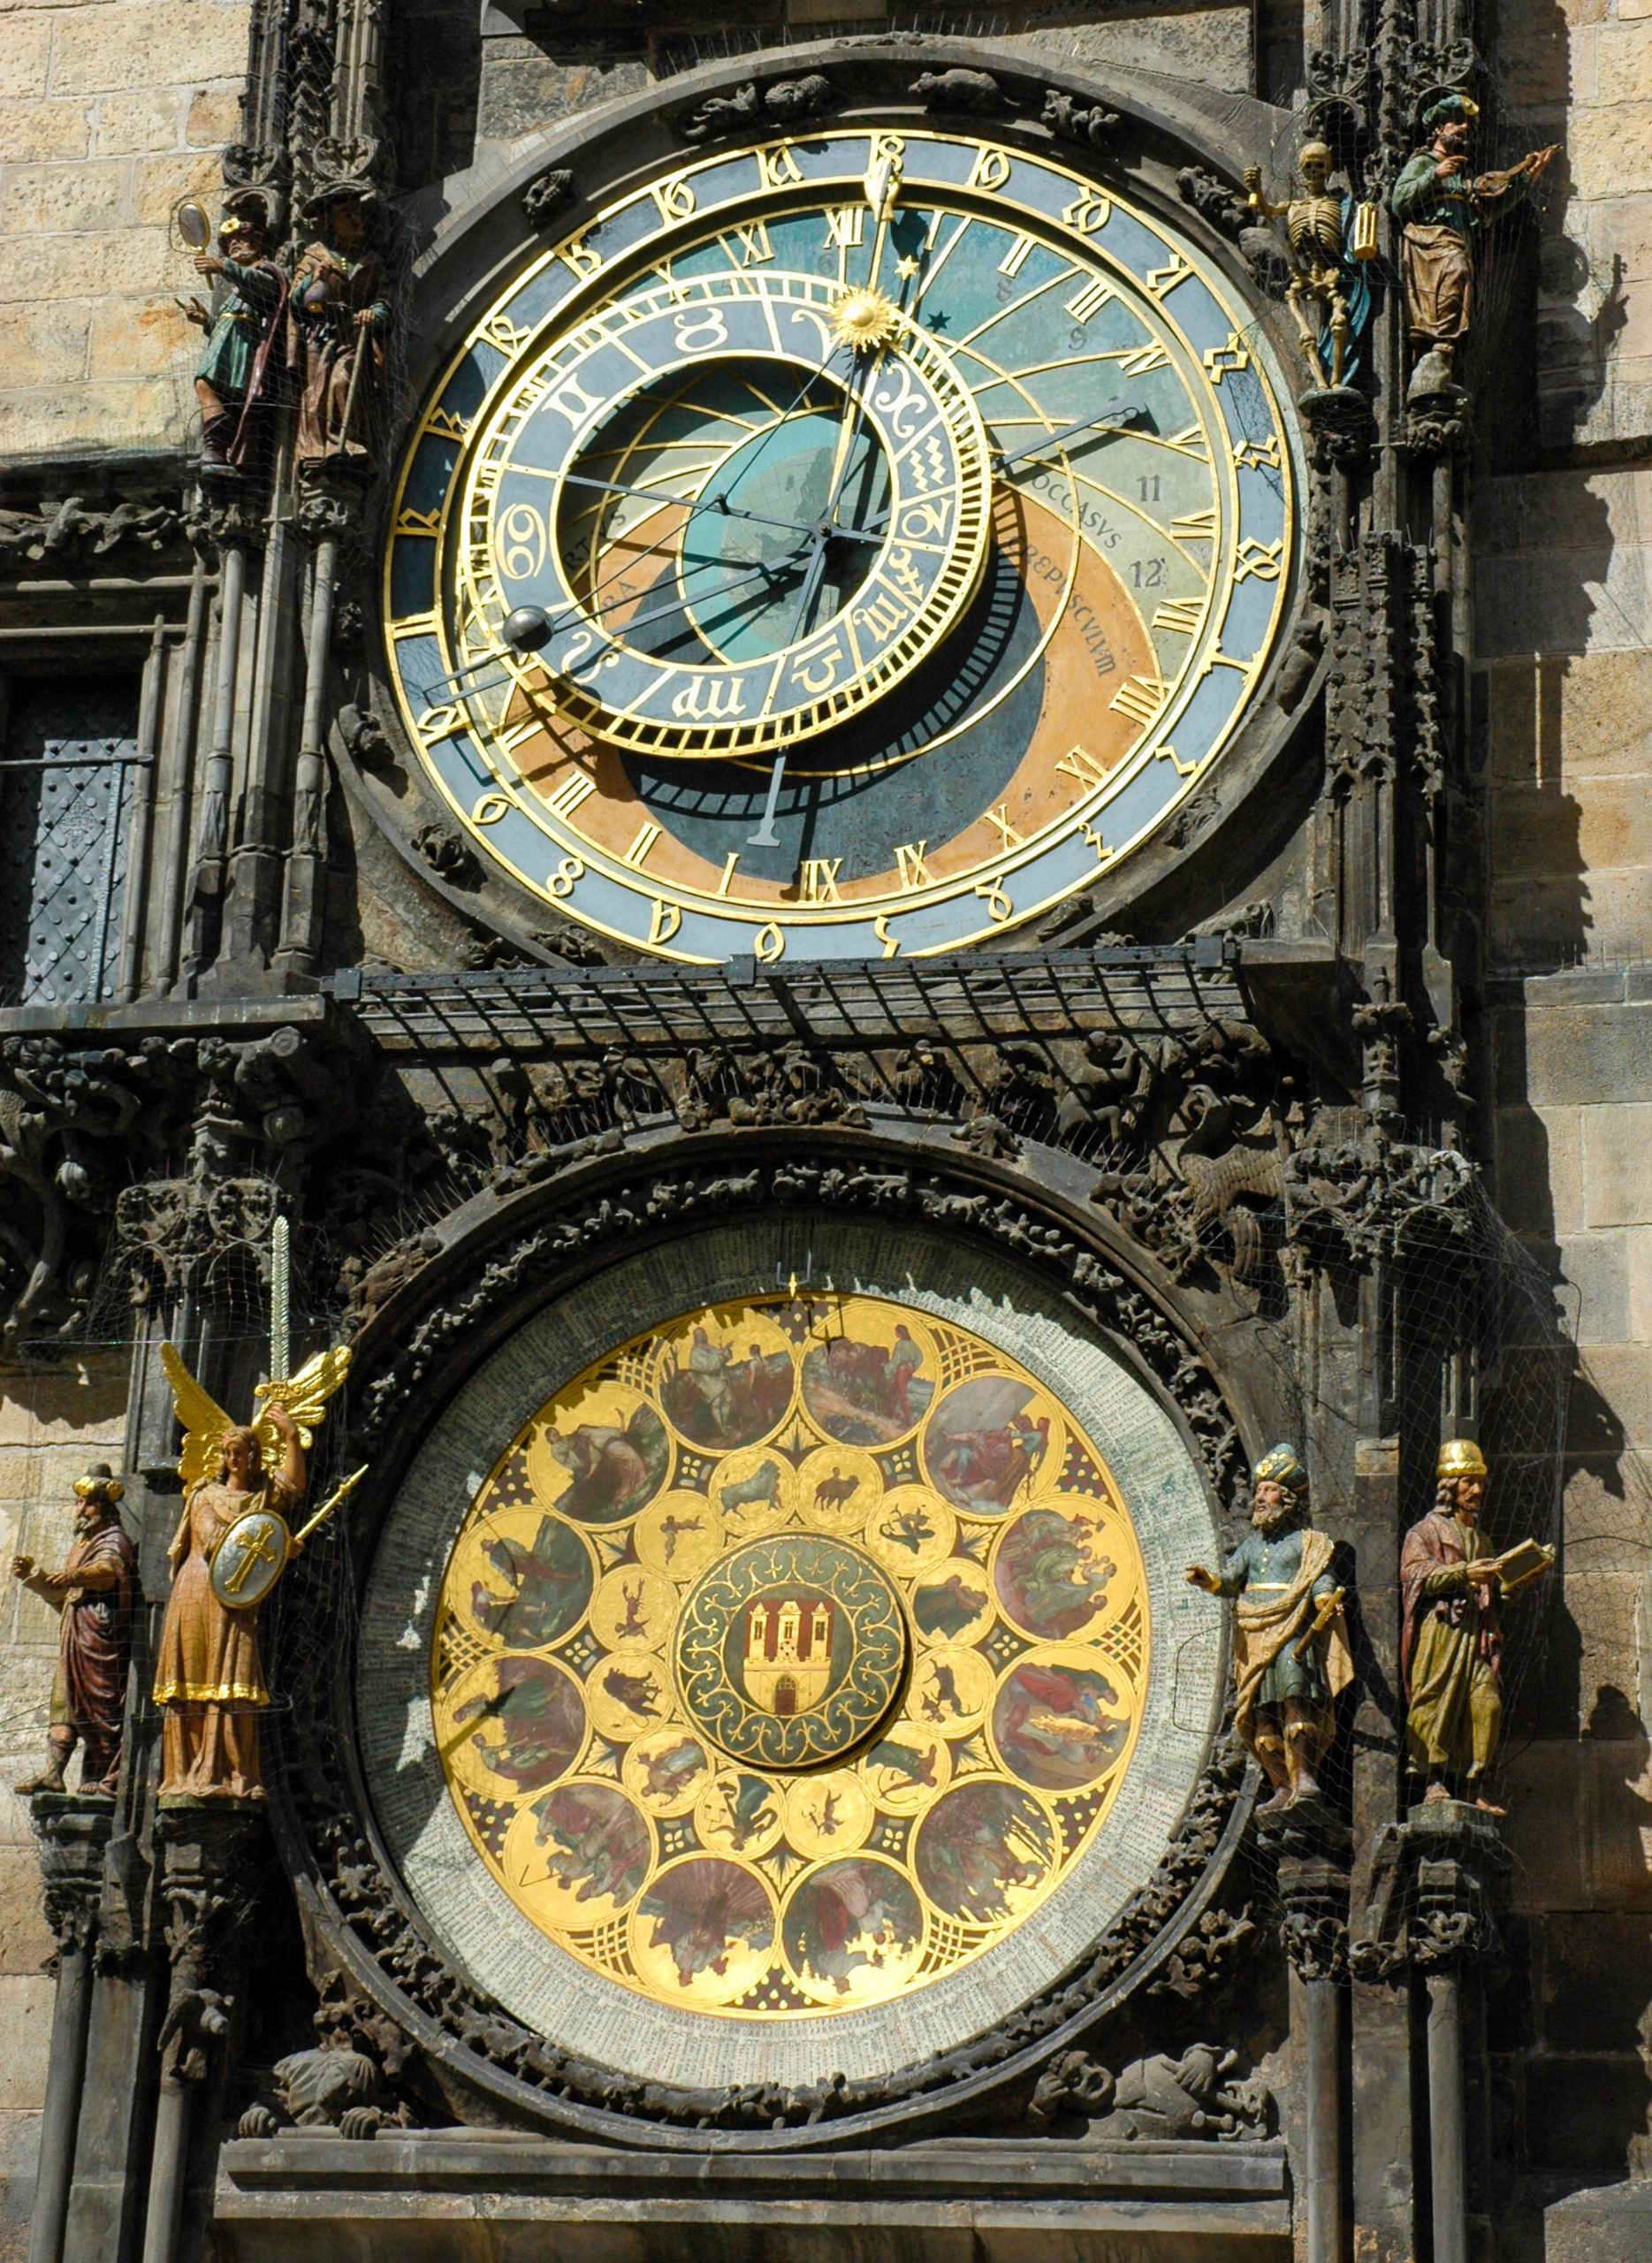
{"type": "Point", "coordinates": [1440, 214]}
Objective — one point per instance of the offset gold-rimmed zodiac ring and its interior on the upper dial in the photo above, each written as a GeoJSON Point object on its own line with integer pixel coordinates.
{"type": "Point", "coordinates": [739, 522]}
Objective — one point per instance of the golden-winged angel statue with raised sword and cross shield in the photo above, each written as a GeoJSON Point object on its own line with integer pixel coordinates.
{"type": "Point", "coordinates": [241, 1481]}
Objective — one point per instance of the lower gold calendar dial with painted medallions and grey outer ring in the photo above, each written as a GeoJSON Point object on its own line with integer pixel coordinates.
{"type": "Point", "coordinates": [798, 1673]}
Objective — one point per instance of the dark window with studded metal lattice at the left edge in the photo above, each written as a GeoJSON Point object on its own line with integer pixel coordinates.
{"type": "Point", "coordinates": [64, 789]}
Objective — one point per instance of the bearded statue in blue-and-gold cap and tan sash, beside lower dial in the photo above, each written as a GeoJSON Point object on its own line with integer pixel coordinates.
{"type": "Point", "coordinates": [1291, 1655]}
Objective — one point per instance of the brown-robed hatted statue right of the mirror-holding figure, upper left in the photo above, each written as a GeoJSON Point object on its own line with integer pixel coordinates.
{"type": "Point", "coordinates": [336, 338]}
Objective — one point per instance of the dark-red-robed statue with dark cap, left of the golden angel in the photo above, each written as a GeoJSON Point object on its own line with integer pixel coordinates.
{"type": "Point", "coordinates": [94, 1597]}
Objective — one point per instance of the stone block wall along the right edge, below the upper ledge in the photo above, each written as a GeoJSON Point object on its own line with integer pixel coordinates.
{"type": "Point", "coordinates": [1565, 621]}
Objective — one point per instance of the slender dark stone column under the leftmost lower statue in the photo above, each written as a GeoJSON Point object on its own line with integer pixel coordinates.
{"type": "Point", "coordinates": [74, 1834]}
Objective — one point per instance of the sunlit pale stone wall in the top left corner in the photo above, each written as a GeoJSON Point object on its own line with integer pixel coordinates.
{"type": "Point", "coordinates": [110, 112]}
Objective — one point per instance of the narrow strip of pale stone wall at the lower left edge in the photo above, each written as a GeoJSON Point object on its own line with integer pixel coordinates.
{"type": "Point", "coordinates": [53, 1422]}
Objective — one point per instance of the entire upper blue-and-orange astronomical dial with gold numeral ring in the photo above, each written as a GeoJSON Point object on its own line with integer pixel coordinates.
{"type": "Point", "coordinates": [841, 549]}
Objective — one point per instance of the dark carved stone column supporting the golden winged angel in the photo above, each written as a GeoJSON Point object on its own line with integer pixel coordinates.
{"type": "Point", "coordinates": [209, 1888]}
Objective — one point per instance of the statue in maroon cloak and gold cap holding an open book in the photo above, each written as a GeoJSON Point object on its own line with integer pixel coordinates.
{"type": "Point", "coordinates": [1452, 1635]}
